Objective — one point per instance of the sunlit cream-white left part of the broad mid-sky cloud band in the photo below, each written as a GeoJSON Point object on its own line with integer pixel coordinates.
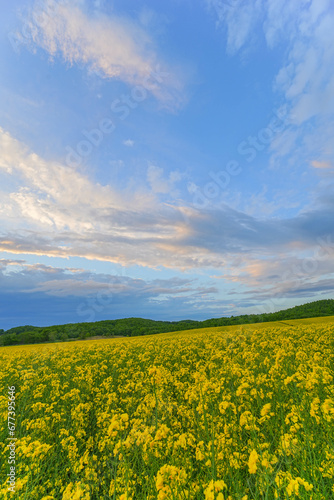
{"type": "Point", "coordinates": [56, 210]}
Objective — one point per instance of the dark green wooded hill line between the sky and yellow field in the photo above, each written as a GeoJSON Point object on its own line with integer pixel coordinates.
{"type": "Point", "coordinates": [130, 327]}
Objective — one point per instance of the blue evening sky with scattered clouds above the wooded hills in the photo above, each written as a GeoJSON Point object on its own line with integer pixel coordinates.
{"type": "Point", "coordinates": [165, 160]}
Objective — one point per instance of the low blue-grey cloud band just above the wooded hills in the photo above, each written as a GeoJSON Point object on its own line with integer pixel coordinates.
{"type": "Point", "coordinates": [43, 295]}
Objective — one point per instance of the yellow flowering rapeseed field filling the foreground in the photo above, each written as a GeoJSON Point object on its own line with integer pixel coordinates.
{"type": "Point", "coordinates": [222, 413]}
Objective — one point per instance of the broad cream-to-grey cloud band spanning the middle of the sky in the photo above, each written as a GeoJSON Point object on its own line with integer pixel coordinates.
{"type": "Point", "coordinates": [142, 227]}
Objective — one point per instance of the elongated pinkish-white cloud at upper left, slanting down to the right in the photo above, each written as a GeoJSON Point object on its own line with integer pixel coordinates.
{"type": "Point", "coordinates": [113, 47]}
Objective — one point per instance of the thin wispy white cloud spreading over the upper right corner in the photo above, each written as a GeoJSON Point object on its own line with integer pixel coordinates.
{"type": "Point", "coordinates": [303, 31]}
